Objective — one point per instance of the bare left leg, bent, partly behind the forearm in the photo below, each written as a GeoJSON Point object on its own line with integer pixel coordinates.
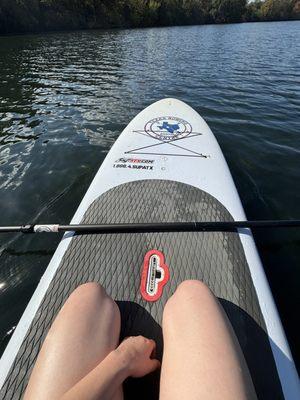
{"type": "Point", "coordinates": [84, 332]}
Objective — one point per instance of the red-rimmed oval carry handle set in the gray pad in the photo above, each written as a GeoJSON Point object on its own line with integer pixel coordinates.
{"type": "Point", "coordinates": [155, 275]}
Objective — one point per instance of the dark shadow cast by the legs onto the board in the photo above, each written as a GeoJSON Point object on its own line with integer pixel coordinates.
{"type": "Point", "coordinates": [252, 339]}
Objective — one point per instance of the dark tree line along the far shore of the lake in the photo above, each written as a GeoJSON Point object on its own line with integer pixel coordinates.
{"type": "Point", "coordinates": [18, 16]}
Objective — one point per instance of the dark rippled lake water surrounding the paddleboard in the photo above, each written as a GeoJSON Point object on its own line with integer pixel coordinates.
{"type": "Point", "coordinates": [65, 97]}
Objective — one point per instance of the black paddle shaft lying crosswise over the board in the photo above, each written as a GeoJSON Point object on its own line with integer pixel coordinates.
{"type": "Point", "coordinates": [213, 226]}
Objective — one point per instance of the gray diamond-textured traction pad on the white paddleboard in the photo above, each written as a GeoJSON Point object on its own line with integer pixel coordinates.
{"type": "Point", "coordinates": [217, 258]}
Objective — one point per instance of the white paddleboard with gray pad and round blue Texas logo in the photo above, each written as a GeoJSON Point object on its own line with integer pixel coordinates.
{"type": "Point", "coordinates": [166, 166]}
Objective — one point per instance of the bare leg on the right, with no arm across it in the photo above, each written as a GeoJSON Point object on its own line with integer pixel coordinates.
{"type": "Point", "coordinates": [202, 358]}
